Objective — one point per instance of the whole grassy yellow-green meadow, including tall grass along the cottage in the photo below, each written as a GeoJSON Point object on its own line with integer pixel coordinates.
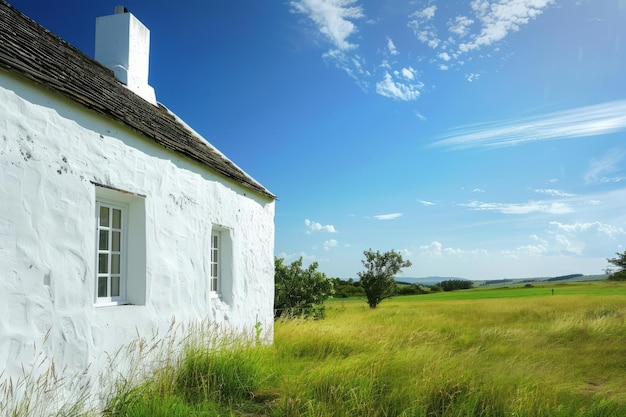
{"type": "Point", "coordinates": [524, 352]}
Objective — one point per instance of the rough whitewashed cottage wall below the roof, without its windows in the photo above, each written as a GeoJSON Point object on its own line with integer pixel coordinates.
{"type": "Point", "coordinates": [51, 153]}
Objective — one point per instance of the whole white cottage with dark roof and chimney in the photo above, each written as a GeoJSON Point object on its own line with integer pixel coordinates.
{"type": "Point", "coordinates": [115, 216]}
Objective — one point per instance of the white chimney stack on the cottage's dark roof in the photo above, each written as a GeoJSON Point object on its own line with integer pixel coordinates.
{"type": "Point", "coordinates": [123, 45]}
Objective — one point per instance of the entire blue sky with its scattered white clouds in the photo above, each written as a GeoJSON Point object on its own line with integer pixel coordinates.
{"type": "Point", "coordinates": [483, 139]}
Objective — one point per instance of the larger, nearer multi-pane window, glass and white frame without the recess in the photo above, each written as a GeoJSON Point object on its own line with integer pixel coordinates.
{"type": "Point", "coordinates": [111, 282]}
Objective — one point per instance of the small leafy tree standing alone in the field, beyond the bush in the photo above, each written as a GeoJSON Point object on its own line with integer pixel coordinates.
{"type": "Point", "coordinates": [377, 279]}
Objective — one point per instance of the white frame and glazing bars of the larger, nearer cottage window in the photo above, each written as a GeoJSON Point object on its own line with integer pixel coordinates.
{"type": "Point", "coordinates": [109, 270]}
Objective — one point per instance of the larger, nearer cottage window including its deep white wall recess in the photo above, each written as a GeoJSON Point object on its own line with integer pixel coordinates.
{"type": "Point", "coordinates": [120, 243]}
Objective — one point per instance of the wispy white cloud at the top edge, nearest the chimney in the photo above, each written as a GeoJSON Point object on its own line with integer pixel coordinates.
{"type": "Point", "coordinates": [333, 18]}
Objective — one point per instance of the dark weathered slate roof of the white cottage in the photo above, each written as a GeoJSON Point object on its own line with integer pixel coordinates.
{"type": "Point", "coordinates": [28, 49]}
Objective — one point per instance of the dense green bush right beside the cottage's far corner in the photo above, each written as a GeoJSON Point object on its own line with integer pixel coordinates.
{"type": "Point", "coordinates": [300, 292]}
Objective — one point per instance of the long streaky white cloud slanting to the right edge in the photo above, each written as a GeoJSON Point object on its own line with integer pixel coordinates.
{"type": "Point", "coordinates": [586, 121]}
